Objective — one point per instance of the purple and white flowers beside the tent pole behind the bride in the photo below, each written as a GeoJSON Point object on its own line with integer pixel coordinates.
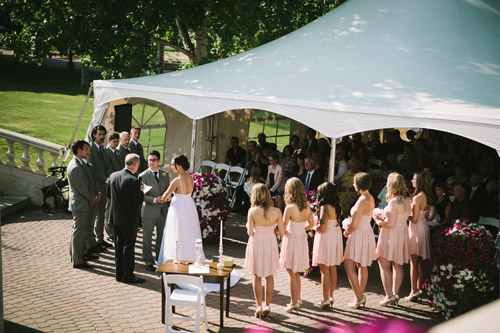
{"type": "Point", "coordinates": [210, 197]}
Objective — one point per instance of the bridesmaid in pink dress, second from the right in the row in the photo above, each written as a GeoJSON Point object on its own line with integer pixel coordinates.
{"type": "Point", "coordinates": [392, 245]}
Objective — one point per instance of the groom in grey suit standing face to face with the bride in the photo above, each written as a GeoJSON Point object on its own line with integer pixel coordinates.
{"type": "Point", "coordinates": [154, 209]}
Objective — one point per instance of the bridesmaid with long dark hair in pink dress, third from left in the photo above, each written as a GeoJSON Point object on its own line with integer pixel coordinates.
{"type": "Point", "coordinates": [328, 246]}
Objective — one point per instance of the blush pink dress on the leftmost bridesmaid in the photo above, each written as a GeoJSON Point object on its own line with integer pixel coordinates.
{"type": "Point", "coordinates": [262, 256]}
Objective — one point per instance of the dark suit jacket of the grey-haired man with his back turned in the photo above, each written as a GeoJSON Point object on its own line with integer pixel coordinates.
{"type": "Point", "coordinates": [126, 200]}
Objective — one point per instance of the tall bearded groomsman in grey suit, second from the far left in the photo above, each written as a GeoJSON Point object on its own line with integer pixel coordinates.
{"type": "Point", "coordinates": [98, 163]}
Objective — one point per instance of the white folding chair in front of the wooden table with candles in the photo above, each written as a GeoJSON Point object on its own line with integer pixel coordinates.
{"type": "Point", "coordinates": [181, 297]}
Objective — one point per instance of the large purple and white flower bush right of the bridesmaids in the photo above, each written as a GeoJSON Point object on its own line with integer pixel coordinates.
{"type": "Point", "coordinates": [463, 269]}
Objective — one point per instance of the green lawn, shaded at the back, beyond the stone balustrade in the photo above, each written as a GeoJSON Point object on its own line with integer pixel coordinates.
{"type": "Point", "coordinates": [42, 102]}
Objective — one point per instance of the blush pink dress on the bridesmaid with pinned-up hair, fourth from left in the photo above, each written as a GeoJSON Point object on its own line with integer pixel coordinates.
{"type": "Point", "coordinates": [360, 246]}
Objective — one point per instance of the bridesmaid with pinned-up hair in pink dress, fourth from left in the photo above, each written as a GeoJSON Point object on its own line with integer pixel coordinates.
{"type": "Point", "coordinates": [360, 247]}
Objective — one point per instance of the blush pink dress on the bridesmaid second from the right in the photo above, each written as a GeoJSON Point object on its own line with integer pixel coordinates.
{"type": "Point", "coordinates": [393, 241]}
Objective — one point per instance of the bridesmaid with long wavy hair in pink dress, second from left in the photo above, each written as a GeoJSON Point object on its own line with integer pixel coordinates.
{"type": "Point", "coordinates": [294, 250]}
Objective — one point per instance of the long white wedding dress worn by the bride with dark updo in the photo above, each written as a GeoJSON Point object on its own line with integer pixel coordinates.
{"type": "Point", "coordinates": [183, 224]}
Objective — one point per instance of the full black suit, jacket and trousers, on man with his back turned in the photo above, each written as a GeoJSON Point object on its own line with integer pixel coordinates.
{"type": "Point", "coordinates": [126, 200]}
